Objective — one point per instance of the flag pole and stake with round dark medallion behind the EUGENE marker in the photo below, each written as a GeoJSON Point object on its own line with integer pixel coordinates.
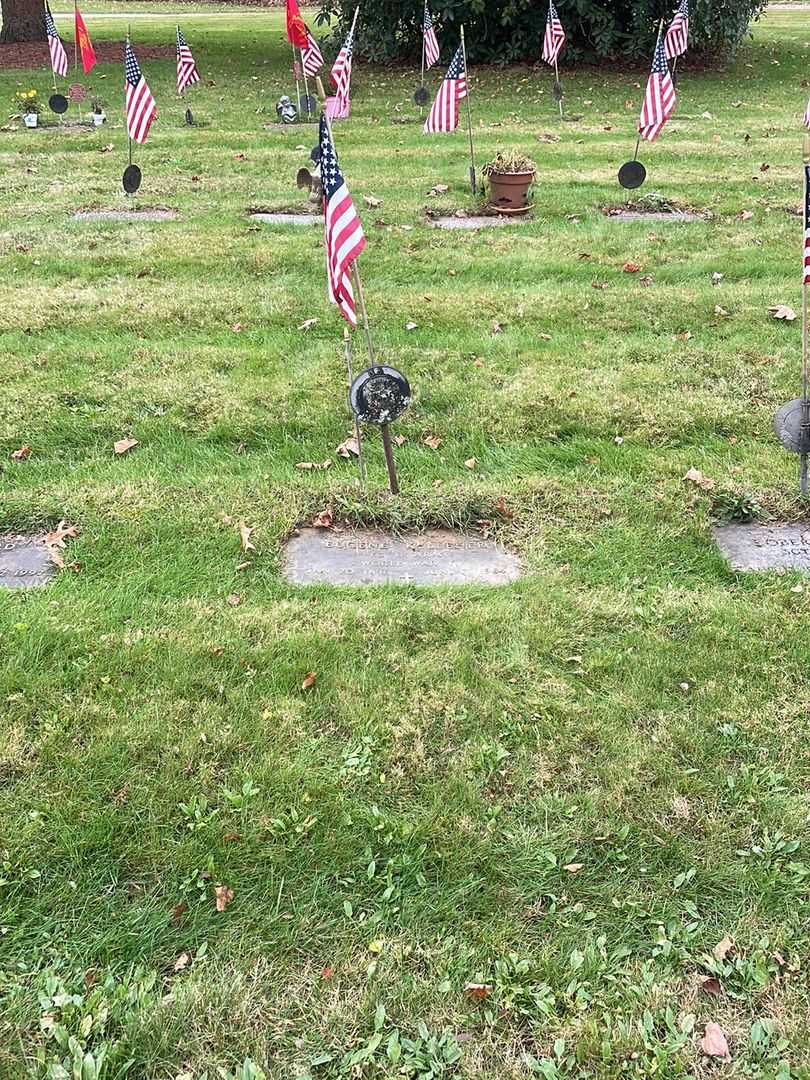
{"type": "Point", "coordinates": [381, 395]}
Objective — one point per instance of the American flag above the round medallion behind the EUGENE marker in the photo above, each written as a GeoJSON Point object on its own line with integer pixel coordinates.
{"type": "Point", "coordinates": [345, 239]}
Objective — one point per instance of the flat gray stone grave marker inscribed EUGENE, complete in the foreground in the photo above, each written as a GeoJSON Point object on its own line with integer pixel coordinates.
{"type": "Point", "coordinates": [371, 558]}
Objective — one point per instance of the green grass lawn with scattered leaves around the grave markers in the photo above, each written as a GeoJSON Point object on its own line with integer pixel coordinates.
{"type": "Point", "coordinates": [570, 790]}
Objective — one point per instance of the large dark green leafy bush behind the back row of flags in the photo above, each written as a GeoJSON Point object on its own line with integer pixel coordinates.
{"type": "Point", "coordinates": [504, 32]}
